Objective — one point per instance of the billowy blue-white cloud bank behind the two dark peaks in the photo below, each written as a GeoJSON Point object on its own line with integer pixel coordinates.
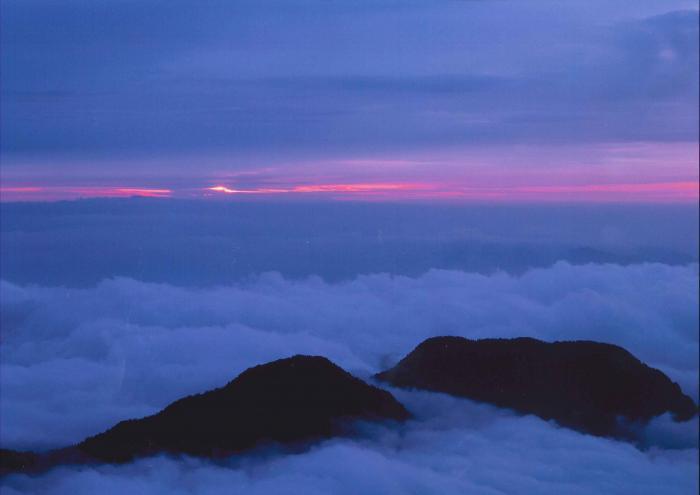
{"type": "Point", "coordinates": [74, 361]}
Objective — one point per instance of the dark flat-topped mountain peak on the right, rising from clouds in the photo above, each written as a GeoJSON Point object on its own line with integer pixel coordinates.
{"type": "Point", "coordinates": [583, 385]}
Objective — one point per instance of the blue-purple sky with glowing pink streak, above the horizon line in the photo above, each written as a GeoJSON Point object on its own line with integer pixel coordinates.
{"type": "Point", "coordinates": [475, 100]}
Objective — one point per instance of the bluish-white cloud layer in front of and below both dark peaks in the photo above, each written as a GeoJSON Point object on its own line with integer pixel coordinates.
{"type": "Point", "coordinates": [453, 447]}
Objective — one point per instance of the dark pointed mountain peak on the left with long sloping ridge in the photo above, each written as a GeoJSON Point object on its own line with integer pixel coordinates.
{"type": "Point", "coordinates": [290, 401]}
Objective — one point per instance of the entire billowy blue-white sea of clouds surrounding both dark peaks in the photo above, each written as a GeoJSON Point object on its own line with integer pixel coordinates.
{"type": "Point", "coordinates": [76, 360]}
